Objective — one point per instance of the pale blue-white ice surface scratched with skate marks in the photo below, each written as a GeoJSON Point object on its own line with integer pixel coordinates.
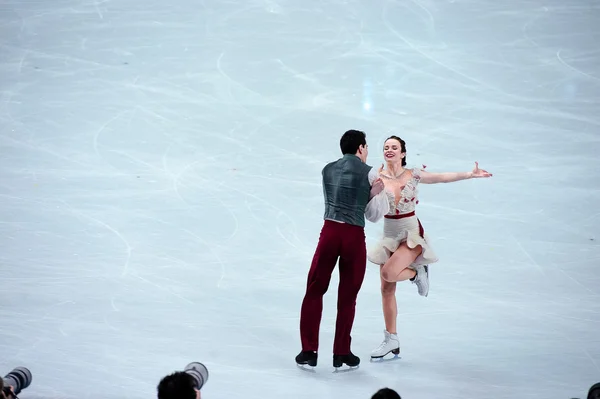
{"type": "Point", "coordinates": [161, 201]}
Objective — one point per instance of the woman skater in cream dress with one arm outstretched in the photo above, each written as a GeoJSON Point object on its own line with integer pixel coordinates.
{"type": "Point", "coordinates": [404, 252]}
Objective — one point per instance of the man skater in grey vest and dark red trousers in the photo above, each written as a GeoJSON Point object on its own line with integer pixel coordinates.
{"type": "Point", "coordinates": [348, 186]}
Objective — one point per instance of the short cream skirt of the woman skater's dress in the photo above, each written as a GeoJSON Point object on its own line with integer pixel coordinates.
{"type": "Point", "coordinates": [397, 231]}
